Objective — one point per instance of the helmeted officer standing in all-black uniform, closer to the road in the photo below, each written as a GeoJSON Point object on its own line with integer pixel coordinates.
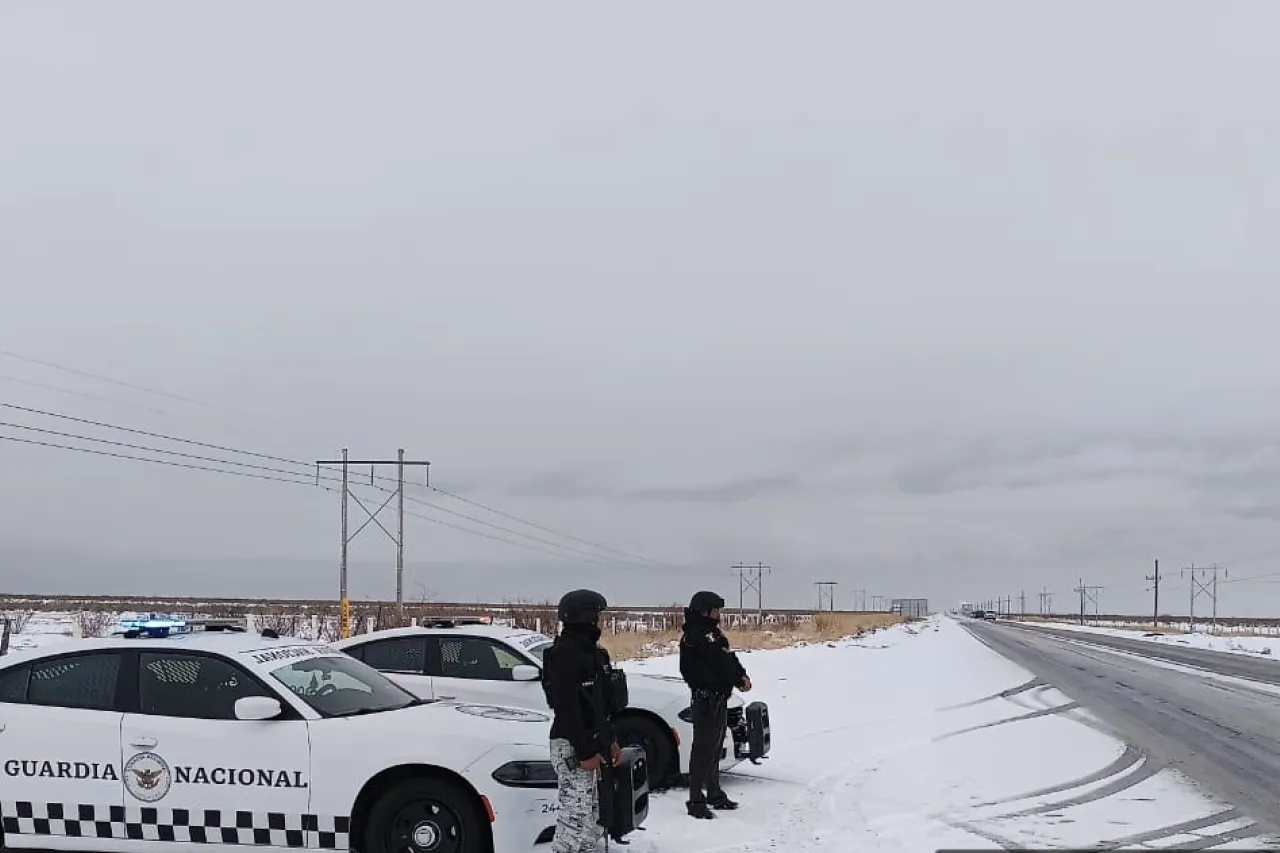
{"type": "Point", "coordinates": [712, 672]}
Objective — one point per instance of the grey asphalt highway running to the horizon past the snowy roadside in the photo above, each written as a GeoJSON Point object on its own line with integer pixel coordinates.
{"type": "Point", "coordinates": [1224, 736]}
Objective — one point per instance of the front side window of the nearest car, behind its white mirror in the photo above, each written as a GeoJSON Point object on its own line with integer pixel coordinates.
{"type": "Point", "coordinates": [198, 687]}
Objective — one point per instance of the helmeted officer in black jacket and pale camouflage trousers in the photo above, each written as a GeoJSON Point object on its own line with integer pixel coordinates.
{"type": "Point", "coordinates": [577, 681]}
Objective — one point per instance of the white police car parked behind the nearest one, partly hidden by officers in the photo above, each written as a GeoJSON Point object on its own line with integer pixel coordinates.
{"type": "Point", "coordinates": [479, 663]}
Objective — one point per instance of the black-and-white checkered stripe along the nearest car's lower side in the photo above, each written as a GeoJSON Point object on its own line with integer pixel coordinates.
{"type": "Point", "coordinates": [182, 825]}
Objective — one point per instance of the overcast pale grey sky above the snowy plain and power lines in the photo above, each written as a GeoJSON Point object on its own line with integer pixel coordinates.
{"type": "Point", "coordinates": [941, 300]}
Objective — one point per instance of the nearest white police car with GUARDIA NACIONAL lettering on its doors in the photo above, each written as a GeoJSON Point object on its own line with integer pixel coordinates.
{"type": "Point", "coordinates": [237, 740]}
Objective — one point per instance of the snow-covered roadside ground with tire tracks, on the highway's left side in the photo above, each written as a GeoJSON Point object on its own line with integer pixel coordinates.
{"type": "Point", "coordinates": [900, 741]}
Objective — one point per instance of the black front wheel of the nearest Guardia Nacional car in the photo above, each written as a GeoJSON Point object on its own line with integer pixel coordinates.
{"type": "Point", "coordinates": [426, 816]}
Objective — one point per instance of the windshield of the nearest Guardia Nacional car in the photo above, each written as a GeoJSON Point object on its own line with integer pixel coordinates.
{"type": "Point", "coordinates": [342, 687]}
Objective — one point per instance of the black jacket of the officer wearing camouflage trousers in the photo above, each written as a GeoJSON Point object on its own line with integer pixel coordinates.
{"type": "Point", "coordinates": [578, 692]}
